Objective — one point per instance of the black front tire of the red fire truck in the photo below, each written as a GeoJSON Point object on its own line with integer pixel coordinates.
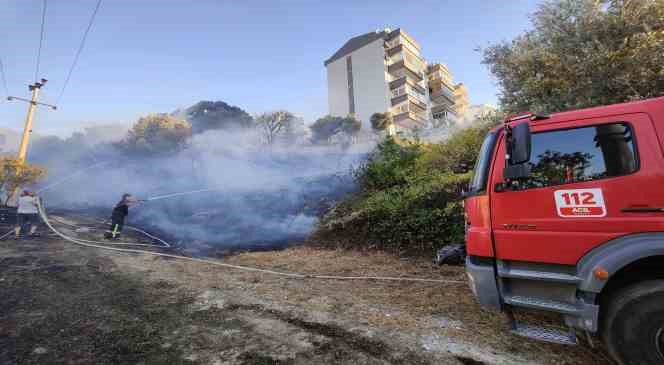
{"type": "Point", "coordinates": [633, 327]}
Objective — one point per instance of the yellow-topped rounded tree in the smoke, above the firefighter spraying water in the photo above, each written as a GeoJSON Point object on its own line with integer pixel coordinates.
{"type": "Point", "coordinates": [156, 134]}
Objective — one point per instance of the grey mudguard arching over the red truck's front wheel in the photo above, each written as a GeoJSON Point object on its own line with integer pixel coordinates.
{"type": "Point", "coordinates": [616, 254]}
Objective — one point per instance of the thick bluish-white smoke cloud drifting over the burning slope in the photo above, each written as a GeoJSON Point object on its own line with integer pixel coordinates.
{"type": "Point", "coordinates": [257, 196]}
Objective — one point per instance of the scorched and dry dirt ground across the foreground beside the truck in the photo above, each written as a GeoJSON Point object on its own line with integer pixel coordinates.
{"type": "Point", "coordinates": [66, 304]}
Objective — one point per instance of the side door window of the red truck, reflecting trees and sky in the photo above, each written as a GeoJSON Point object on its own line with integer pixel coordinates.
{"type": "Point", "coordinates": [581, 154]}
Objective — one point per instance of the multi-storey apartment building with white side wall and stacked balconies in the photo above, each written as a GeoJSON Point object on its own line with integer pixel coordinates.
{"type": "Point", "coordinates": [385, 71]}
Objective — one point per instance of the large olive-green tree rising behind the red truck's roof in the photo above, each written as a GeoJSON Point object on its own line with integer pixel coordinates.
{"type": "Point", "coordinates": [582, 53]}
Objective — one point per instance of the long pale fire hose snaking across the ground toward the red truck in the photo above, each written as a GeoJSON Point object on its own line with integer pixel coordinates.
{"type": "Point", "coordinates": [103, 246]}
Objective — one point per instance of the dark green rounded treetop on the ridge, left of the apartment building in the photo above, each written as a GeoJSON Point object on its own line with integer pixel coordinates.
{"type": "Point", "coordinates": [209, 115]}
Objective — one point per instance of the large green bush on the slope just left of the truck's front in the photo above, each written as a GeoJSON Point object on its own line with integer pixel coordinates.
{"type": "Point", "coordinates": [409, 199]}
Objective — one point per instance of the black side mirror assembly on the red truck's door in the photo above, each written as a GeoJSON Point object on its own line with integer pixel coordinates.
{"type": "Point", "coordinates": [518, 147]}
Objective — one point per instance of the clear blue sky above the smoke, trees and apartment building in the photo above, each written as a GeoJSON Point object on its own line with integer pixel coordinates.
{"type": "Point", "coordinates": [147, 56]}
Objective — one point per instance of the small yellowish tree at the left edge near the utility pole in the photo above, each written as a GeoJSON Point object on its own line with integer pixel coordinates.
{"type": "Point", "coordinates": [14, 174]}
